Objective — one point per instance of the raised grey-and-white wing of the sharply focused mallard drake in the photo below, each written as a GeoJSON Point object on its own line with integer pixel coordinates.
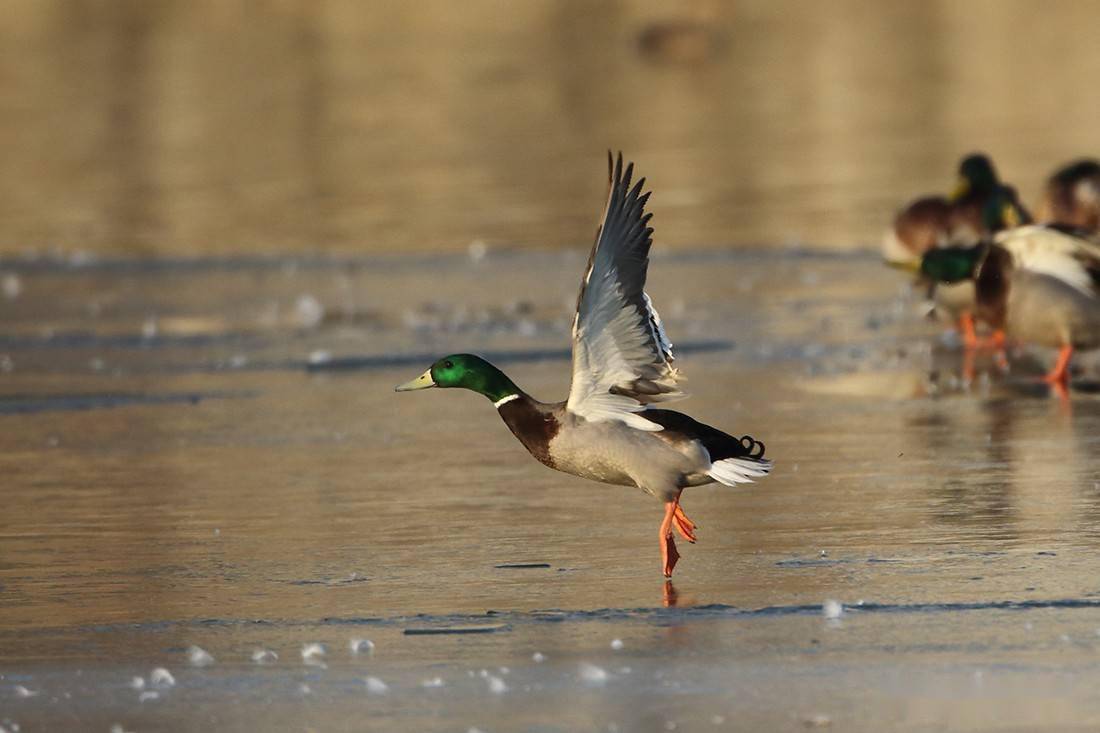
{"type": "Point", "coordinates": [622, 357]}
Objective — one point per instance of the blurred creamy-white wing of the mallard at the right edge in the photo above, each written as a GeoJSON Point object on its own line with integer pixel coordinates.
{"type": "Point", "coordinates": [1052, 253]}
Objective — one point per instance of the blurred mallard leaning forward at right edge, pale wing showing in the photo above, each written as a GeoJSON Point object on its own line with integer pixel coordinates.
{"type": "Point", "coordinates": [1041, 285]}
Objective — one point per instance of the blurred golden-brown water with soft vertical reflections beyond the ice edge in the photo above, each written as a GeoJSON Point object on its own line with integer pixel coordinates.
{"type": "Point", "coordinates": [205, 127]}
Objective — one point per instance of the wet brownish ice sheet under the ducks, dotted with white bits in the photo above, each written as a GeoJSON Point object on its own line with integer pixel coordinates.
{"type": "Point", "coordinates": [303, 504]}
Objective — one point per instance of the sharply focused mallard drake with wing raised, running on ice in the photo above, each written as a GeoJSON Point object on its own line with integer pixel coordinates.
{"type": "Point", "coordinates": [609, 430]}
